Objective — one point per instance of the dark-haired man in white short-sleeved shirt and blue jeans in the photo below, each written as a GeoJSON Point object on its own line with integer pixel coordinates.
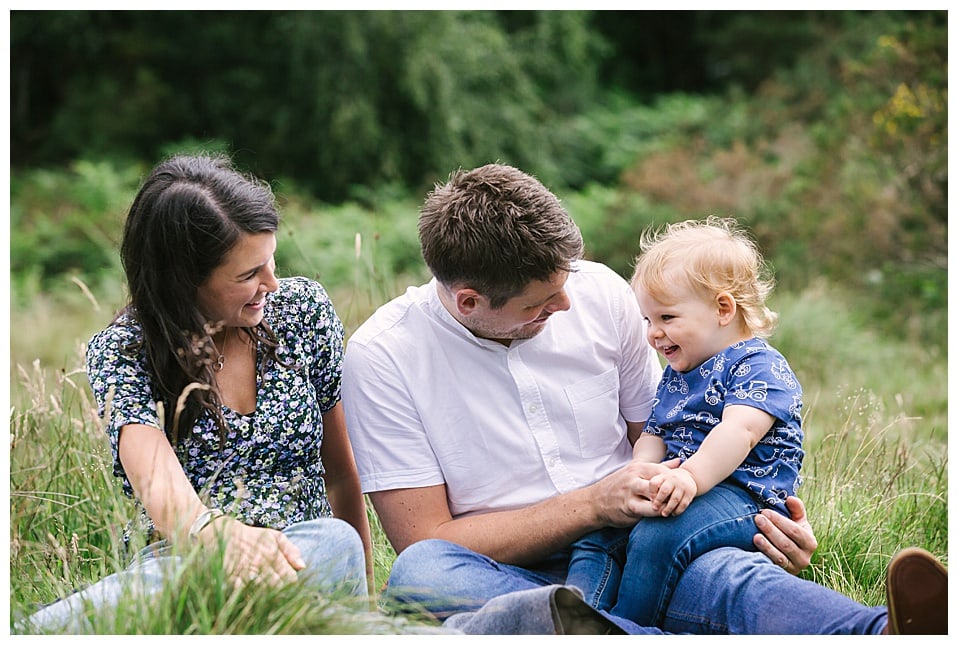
{"type": "Point", "coordinates": [489, 411]}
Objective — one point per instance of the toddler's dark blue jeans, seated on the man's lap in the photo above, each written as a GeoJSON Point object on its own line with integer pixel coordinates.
{"type": "Point", "coordinates": [662, 548]}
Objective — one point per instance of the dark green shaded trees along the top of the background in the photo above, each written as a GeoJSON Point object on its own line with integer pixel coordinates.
{"type": "Point", "coordinates": [335, 99]}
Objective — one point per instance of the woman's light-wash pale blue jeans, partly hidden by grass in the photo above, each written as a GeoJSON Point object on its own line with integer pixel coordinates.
{"type": "Point", "coordinates": [332, 549]}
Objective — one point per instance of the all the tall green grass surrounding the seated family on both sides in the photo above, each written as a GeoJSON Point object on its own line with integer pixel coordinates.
{"type": "Point", "coordinates": [875, 473]}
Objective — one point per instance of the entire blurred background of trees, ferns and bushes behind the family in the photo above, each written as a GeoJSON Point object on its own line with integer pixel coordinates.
{"type": "Point", "coordinates": [824, 131]}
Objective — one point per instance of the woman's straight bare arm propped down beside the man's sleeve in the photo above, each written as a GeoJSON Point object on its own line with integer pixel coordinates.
{"type": "Point", "coordinates": [342, 480]}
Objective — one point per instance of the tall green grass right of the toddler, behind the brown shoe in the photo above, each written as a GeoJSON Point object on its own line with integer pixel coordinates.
{"type": "Point", "coordinates": [876, 437]}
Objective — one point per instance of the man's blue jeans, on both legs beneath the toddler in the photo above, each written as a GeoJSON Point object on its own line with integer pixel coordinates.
{"type": "Point", "coordinates": [725, 591]}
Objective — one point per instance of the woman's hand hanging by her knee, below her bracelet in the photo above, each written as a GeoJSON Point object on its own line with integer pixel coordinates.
{"type": "Point", "coordinates": [254, 554]}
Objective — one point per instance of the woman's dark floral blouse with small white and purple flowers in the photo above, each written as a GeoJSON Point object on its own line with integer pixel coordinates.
{"type": "Point", "coordinates": [268, 471]}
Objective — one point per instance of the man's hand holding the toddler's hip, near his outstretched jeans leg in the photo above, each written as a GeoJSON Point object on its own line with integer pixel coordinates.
{"type": "Point", "coordinates": [789, 543]}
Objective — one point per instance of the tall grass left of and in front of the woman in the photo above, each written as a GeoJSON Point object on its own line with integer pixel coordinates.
{"type": "Point", "coordinates": [67, 515]}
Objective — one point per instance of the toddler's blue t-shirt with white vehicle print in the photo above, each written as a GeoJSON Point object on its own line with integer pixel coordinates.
{"type": "Point", "coordinates": [689, 404]}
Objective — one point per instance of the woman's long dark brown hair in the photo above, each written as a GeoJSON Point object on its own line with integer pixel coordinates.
{"type": "Point", "coordinates": [188, 214]}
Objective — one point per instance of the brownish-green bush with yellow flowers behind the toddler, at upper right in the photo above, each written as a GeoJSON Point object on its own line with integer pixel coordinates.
{"type": "Point", "coordinates": [837, 165]}
